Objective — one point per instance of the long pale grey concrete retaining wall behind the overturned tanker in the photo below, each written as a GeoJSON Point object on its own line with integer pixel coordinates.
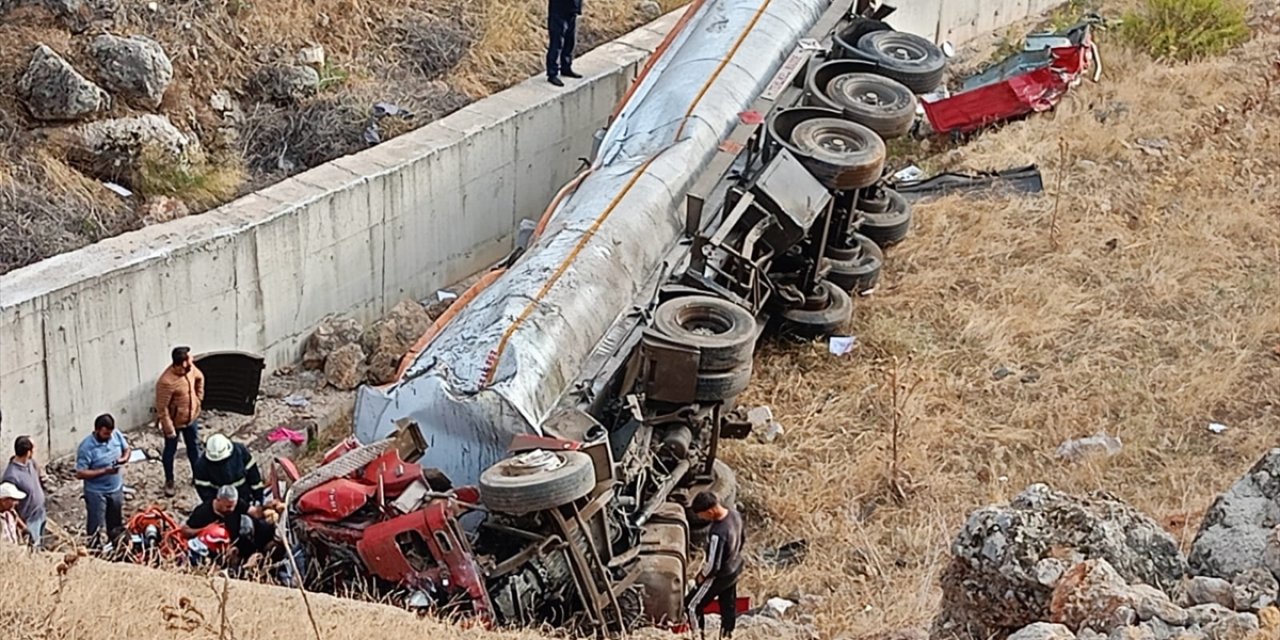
{"type": "Point", "coordinates": [89, 332]}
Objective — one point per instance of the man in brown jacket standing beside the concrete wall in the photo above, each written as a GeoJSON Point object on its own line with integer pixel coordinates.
{"type": "Point", "coordinates": [180, 392]}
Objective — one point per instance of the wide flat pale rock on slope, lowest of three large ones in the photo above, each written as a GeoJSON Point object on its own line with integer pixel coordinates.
{"type": "Point", "coordinates": [116, 149]}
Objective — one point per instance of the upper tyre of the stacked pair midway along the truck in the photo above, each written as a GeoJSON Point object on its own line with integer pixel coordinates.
{"type": "Point", "coordinates": [724, 332]}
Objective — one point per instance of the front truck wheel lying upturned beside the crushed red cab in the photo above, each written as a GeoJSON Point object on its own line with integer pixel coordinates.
{"type": "Point", "coordinates": [537, 481]}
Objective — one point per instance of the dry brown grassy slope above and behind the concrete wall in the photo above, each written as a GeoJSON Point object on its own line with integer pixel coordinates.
{"type": "Point", "coordinates": [431, 57]}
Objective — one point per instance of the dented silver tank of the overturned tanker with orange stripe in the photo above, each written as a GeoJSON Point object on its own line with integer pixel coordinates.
{"type": "Point", "coordinates": [650, 158]}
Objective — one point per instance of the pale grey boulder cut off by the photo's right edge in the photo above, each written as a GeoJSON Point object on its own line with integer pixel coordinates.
{"type": "Point", "coordinates": [1241, 523]}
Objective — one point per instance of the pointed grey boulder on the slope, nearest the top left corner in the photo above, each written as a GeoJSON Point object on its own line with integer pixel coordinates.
{"type": "Point", "coordinates": [54, 90]}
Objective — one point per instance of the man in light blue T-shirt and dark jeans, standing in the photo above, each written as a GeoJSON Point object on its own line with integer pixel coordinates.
{"type": "Point", "coordinates": [100, 463]}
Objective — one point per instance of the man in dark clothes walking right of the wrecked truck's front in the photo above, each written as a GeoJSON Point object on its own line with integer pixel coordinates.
{"type": "Point", "coordinates": [719, 578]}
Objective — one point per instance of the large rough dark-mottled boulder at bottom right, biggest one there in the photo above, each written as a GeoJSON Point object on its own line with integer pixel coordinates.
{"type": "Point", "coordinates": [1008, 560]}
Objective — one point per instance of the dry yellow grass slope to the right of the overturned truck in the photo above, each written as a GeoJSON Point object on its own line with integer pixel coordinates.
{"type": "Point", "coordinates": [1158, 314]}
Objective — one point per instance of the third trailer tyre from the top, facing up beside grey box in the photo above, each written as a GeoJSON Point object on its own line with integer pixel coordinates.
{"type": "Point", "coordinates": [842, 154]}
